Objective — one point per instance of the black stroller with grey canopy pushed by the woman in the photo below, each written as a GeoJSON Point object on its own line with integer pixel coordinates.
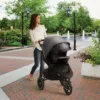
{"type": "Point", "coordinates": [54, 52]}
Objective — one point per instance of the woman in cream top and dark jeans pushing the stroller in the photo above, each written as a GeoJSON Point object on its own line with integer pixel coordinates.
{"type": "Point", "coordinates": [37, 32]}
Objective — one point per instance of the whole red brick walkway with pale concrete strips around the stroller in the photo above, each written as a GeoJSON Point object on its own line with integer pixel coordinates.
{"type": "Point", "coordinates": [15, 86]}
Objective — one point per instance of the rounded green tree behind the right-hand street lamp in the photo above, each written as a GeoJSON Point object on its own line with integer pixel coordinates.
{"type": "Point", "coordinates": [83, 19]}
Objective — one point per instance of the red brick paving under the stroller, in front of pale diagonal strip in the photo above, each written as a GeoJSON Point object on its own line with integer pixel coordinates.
{"type": "Point", "coordinates": [83, 88]}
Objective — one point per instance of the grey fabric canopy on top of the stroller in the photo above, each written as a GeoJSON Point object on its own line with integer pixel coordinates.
{"type": "Point", "coordinates": [52, 41]}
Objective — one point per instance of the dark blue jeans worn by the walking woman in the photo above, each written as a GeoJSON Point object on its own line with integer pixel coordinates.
{"type": "Point", "coordinates": [38, 60]}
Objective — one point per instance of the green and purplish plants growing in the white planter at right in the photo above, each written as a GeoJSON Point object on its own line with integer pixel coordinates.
{"type": "Point", "coordinates": [91, 54]}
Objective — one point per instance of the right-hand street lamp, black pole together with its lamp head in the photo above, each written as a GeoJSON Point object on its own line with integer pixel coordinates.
{"type": "Point", "coordinates": [74, 20]}
